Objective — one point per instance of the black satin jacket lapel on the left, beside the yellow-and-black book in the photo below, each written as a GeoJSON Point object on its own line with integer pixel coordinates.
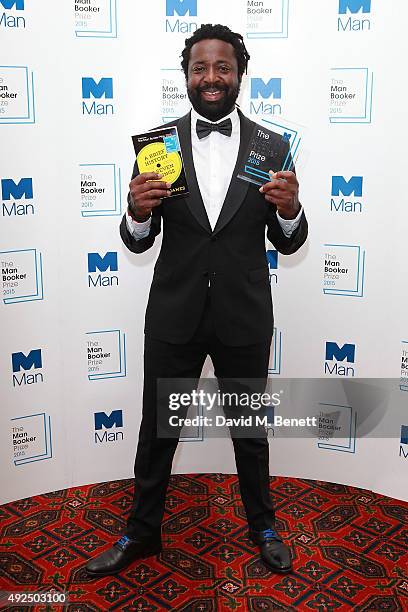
{"type": "Point", "coordinates": [193, 199]}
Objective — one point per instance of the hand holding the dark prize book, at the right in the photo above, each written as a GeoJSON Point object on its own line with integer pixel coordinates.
{"type": "Point", "coordinates": [283, 190]}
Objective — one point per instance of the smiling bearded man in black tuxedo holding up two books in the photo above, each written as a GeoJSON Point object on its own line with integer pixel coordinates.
{"type": "Point", "coordinates": [210, 293]}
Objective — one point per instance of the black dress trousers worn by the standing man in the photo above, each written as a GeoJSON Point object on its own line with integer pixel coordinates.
{"type": "Point", "coordinates": [154, 455]}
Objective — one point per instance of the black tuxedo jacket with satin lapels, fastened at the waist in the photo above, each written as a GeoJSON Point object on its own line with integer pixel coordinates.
{"type": "Point", "coordinates": [231, 259]}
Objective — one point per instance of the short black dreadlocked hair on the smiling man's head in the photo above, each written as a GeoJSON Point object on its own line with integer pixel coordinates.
{"type": "Point", "coordinates": [220, 32]}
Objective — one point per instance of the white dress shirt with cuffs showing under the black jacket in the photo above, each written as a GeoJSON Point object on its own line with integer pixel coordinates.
{"type": "Point", "coordinates": [214, 160]}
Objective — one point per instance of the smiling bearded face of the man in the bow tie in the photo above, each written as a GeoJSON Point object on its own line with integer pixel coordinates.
{"type": "Point", "coordinates": [212, 80]}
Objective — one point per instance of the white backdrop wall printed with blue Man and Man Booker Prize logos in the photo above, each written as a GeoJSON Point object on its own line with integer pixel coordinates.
{"type": "Point", "coordinates": [76, 81]}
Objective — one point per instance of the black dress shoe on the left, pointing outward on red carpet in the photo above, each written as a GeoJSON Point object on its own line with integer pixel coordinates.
{"type": "Point", "coordinates": [122, 553]}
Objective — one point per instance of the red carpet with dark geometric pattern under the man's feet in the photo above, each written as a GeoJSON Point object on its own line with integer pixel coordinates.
{"type": "Point", "coordinates": [350, 549]}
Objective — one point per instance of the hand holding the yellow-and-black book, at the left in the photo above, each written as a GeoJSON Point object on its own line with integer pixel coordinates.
{"type": "Point", "coordinates": [146, 193]}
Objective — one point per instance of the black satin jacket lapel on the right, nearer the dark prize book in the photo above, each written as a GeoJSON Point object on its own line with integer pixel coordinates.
{"type": "Point", "coordinates": [238, 188]}
